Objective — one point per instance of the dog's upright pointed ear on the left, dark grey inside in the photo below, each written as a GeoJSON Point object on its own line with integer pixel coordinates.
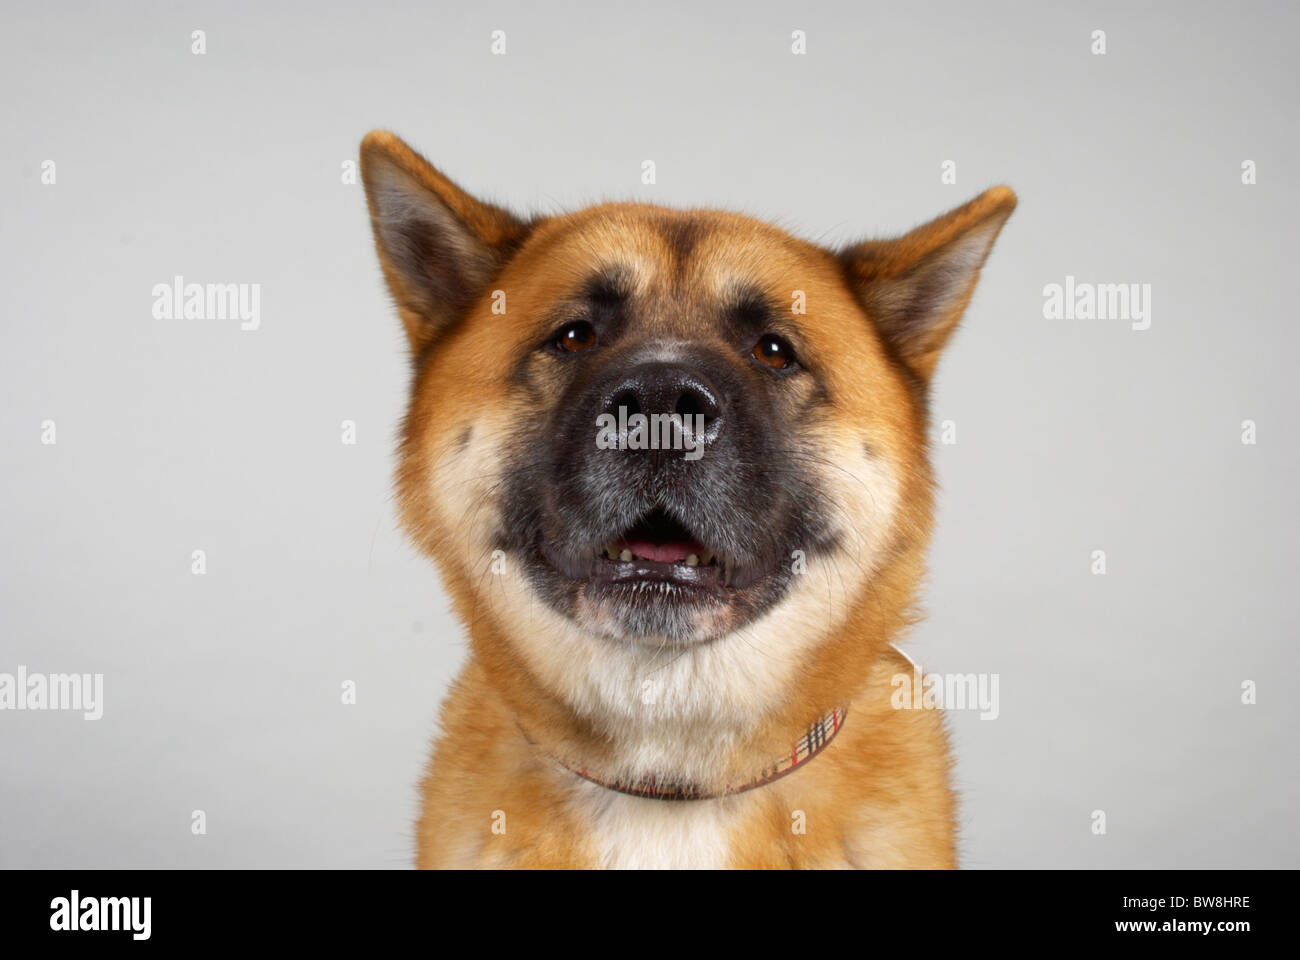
{"type": "Point", "coordinates": [439, 247]}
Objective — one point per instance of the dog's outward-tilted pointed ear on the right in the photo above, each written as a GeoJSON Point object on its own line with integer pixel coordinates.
{"type": "Point", "coordinates": [917, 287]}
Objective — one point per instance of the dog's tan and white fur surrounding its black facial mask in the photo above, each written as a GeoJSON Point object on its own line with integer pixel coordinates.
{"type": "Point", "coordinates": [539, 685]}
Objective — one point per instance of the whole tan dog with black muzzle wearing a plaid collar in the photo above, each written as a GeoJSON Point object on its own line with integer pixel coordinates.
{"type": "Point", "coordinates": [673, 469]}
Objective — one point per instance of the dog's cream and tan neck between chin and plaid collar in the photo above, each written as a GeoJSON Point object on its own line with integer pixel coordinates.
{"type": "Point", "coordinates": [716, 717]}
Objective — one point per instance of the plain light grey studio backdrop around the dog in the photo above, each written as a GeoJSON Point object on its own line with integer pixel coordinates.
{"type": "Point", "coordinates": [1119, 693]}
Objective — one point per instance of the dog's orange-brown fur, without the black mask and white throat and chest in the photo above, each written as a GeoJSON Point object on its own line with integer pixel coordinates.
{"type": "Point", "coordinates": [879, 314]}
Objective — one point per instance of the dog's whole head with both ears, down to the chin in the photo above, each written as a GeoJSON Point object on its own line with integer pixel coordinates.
{"type": "Point", "coordinates": [656, 427]}
